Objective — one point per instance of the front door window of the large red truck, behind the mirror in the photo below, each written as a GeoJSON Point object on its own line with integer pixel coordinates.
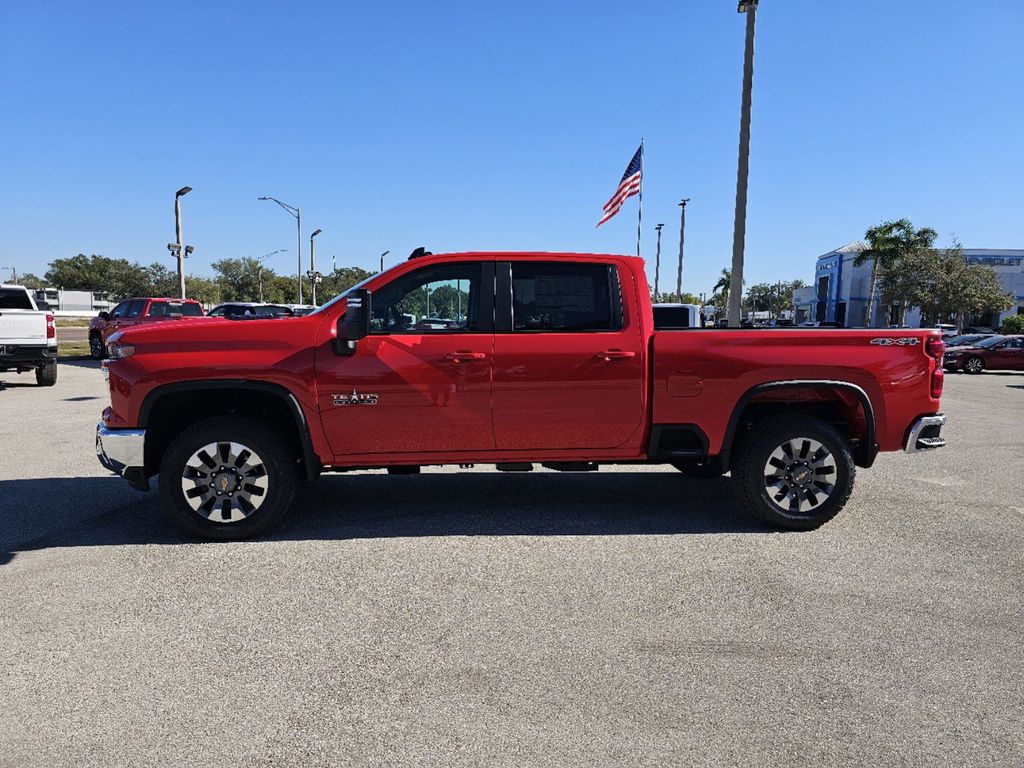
{"type": "Point", "coordinates": [438, 300]}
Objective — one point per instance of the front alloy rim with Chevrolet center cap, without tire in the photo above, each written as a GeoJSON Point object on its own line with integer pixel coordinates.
{"type": "Point", "coordinates": [225, 482]}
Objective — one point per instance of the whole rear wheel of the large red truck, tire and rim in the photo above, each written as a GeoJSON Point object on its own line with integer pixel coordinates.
{"type": "Point", "coordinates": [804, 478]}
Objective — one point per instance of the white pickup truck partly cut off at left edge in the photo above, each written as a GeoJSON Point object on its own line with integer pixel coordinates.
{"type": "Point", "coordinates": [28, 336]}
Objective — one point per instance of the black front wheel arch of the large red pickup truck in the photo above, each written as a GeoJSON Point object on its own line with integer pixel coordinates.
{"type": "Point", "coordinates": [170, 409]}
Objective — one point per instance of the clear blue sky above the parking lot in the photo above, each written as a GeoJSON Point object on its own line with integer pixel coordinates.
{"type": "Point", "coordinates": [468, 125]}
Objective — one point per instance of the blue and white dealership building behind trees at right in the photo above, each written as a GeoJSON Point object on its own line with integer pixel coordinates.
{"type": "Point", "coordinates": [840, 291]}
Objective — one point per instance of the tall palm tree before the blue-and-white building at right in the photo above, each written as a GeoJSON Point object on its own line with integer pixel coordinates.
{"type": "Point", "coordinates": [889, 244]}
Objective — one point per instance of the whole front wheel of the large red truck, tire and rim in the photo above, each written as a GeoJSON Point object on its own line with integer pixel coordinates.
{"type": "Point", "coordinates": [273, 473]}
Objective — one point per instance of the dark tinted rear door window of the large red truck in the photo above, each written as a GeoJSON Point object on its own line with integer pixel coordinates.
{"type": "Point", "coordinates": [559, 297]}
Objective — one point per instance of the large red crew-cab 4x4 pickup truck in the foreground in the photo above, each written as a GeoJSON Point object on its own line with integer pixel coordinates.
{"type": "Point", "coordinates": [511, 360]}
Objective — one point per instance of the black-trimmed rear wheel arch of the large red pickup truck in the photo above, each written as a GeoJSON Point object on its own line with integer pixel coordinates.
{"type": "Point", "coordinates": [758, 405]}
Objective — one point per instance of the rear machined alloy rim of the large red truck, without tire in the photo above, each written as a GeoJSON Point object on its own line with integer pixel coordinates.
{"type": "Point", "coordinates": [800, 476]}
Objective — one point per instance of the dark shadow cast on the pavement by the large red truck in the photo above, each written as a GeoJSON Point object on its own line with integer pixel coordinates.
{"type": "Point", "coordinates": [39, 515]}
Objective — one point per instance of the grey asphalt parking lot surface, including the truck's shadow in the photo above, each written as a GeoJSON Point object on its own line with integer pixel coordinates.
{"type": "Point", "coordinates": [627, 618]}
